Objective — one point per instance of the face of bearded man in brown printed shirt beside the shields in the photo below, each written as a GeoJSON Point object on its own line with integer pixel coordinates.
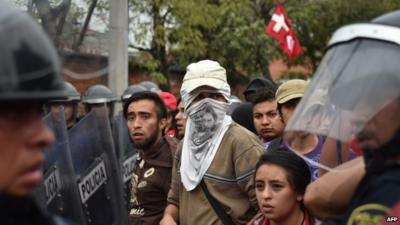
{"type": "Point", "coordinates": [144, 127]}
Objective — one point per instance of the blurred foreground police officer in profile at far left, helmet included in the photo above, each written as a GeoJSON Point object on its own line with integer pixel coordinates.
{"type": "Point", "coordinates": [29, 75]}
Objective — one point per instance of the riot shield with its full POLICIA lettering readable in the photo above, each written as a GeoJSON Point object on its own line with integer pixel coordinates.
{"type": "Point", "coordinates": [97, 170]}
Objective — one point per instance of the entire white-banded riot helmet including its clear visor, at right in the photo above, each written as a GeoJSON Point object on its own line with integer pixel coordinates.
{"type": "Point", "coordinates": [354, 95]}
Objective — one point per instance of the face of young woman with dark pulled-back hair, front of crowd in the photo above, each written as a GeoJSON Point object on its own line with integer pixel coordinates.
{"type": "Point", "coordinates": [276, 197]}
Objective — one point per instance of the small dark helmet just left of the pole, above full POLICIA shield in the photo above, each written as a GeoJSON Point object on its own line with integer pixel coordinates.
{"type": "Point", "coordinates": [98, 94]}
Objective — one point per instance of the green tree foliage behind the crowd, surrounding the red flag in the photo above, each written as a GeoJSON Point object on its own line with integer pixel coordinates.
{"type": "Point", "coordinates": [232, 31]}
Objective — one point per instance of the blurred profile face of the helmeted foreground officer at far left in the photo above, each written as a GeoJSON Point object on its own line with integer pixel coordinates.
{"type": "Point", "coordinates": [23, 135]}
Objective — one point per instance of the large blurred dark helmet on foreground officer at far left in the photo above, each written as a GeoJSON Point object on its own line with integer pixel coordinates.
{"type": "Point", "coordinates": [29, 64]}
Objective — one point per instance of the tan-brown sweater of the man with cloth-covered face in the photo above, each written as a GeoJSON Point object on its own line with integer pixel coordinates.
{"type": "Point", "coordinates": [229, 179]}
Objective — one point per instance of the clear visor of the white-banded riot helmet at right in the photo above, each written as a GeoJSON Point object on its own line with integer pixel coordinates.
{"type": "Point", "coordinates": [354, 84]}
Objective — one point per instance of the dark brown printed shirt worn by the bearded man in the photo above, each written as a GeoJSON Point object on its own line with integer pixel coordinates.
{"type": "Point", "coordinates": [150, 183]}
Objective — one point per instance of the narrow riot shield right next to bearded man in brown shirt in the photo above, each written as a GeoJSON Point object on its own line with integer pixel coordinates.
{"type": "Point", "coordinates": [126, 153]}
